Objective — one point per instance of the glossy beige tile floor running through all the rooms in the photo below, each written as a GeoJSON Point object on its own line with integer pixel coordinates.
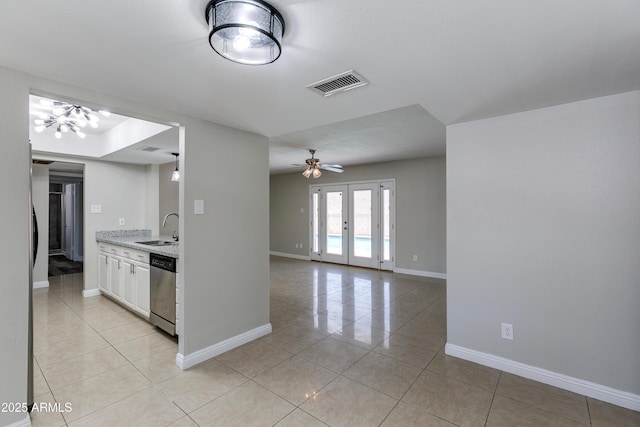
{"type": "Point", "coordinates": [350, 347]}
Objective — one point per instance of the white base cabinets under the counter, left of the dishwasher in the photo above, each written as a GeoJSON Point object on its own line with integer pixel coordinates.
{"type": "Point", "coordinates": [124, 275]}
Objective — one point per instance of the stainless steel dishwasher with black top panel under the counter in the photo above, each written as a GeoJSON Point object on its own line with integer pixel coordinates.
{"type": "Point", "coordinates": [163, 292]}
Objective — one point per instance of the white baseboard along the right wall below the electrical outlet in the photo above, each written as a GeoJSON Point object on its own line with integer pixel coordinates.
{"type": "Point", "coordinates": [576, 385]}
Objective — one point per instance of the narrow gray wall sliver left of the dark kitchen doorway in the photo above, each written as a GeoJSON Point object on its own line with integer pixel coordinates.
{"type": "Point", "coordinates": [40, 199]}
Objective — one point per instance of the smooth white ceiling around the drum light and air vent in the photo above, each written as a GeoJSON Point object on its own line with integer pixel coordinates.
{"type": "Point", "coordinates": [430, 63]}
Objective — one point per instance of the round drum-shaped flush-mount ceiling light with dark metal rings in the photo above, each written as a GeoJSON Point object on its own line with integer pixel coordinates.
{"type": "Point", "coordinates": [245, 31]}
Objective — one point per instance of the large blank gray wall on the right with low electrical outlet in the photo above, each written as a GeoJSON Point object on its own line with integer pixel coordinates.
{"type": "Point", "coordinates": [543, 214]}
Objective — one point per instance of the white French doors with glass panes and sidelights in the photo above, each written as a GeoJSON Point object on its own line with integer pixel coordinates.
{"type": "Point", "coordinates": [353, 223]}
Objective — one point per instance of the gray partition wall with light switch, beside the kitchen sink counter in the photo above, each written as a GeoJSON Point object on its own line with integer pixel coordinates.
{"type": "Point", "coordinates": [226, 250]}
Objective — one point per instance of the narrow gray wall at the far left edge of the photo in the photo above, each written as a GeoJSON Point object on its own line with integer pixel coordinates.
{"type": "Point", "coordinates": [14, 255]}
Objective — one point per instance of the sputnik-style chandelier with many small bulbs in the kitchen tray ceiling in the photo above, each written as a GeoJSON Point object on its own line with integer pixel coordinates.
{"type": "Point", "coordinates": [67, 117]}
